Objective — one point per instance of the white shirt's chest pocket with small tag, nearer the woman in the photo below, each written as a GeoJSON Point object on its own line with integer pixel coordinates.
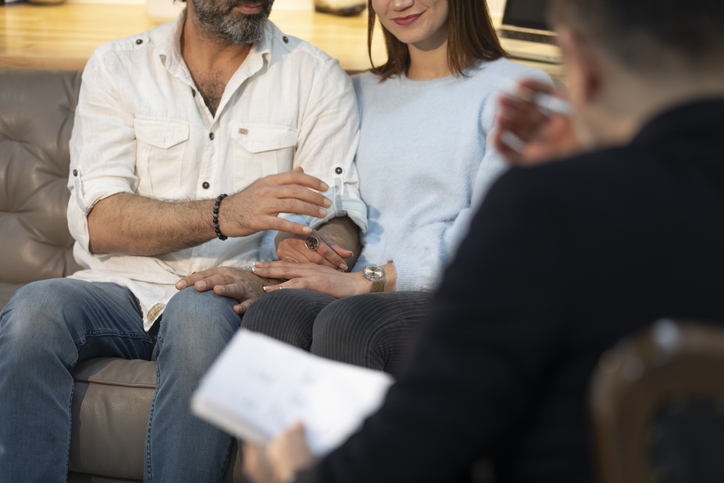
{"type": "Point", "coordinates": [260, 150]}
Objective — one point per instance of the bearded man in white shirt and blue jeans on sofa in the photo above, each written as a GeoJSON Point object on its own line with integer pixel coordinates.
{"type": "Point", "coordinates": [168, 122]}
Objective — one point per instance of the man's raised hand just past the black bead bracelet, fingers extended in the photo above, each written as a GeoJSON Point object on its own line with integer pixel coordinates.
{"type": "Point", "coordinates": [257, 207]}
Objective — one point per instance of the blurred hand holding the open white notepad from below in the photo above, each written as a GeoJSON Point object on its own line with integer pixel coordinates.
{"type": "Point", "coordinates": [281, 459]}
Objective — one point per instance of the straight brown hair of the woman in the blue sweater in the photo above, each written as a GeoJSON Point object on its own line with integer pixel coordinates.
{"type": "Point", "coordinates": [471, 37]}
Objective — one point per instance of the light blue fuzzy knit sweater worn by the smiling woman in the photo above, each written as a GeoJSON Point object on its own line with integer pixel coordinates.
{"type": "Point", "coordinates": [425, 164]}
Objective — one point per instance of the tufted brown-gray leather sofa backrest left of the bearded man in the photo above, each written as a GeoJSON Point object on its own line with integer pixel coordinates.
{"type": "Point", "coordinates": [37, 108]}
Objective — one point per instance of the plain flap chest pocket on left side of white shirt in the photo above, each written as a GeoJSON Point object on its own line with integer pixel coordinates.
{"type": "Point", "coordinates": [160, 148]}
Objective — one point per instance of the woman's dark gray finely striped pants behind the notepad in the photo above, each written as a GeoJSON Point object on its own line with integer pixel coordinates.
{"type": "Point", "coordinates": [371, 330]}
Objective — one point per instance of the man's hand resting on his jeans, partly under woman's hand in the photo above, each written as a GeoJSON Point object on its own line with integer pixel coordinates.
{"type": "Point", "coordinates": [241, 285]}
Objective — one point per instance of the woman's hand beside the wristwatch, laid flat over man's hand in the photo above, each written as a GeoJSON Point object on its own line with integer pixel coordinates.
{"type": "Point", "coordinates": [310, 276]}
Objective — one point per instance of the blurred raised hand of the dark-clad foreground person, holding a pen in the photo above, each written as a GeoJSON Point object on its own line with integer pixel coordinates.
{"type": "Point", "coordinates": [527, 134]}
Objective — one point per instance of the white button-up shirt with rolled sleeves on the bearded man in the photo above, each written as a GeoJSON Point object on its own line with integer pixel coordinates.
{"type": "Point", "coordinates": [141, 127]}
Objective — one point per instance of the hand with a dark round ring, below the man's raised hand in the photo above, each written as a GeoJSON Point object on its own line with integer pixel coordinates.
{"type": "Point", "coordinates": [294, 248]}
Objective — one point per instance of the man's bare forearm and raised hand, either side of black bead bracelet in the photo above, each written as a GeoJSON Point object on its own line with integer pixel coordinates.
{"type": "Point", "coordinates": [133, 225]}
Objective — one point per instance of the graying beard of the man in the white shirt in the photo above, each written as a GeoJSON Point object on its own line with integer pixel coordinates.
{"type": "Point", "coordinates": [221, 23]}
